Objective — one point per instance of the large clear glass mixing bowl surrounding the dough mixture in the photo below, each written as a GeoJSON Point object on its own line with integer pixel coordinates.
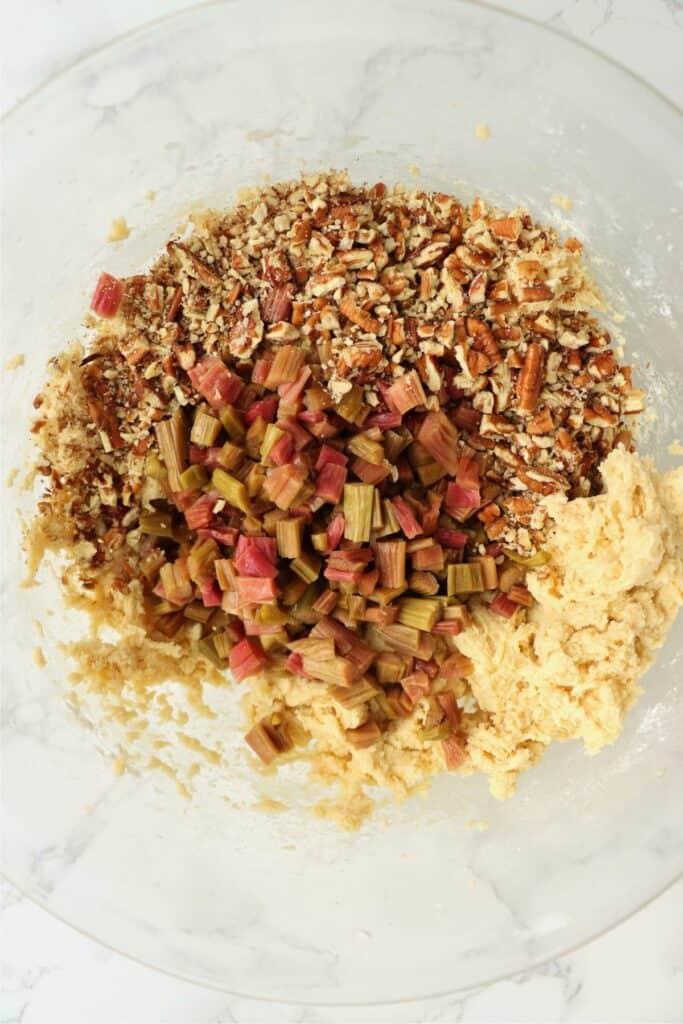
{"type": "Point", "coordinates": [286, 907]}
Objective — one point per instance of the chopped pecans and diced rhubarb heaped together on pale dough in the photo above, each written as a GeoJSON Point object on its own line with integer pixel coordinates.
{"type": "Point", "coordinates": [325, 425]}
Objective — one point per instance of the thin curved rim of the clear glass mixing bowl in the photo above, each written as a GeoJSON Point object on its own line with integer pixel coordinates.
{"type": "Point", "coordinates": [8, 117]}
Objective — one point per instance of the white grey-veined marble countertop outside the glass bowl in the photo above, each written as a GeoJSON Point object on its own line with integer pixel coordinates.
{"type": "Point", "coordinates": [52, 973]}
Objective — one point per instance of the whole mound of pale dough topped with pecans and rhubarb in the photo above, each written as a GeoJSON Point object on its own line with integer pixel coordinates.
{"type": "Point", "coordinates": [367, 454]}
